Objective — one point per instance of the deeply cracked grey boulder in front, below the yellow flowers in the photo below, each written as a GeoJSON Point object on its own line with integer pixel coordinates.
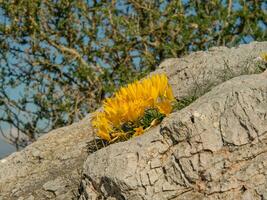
{"type": "Point", "coordinates": [216, 148]}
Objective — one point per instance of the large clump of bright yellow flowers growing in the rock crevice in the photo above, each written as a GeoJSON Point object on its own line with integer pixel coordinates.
{"type": "Point", "coordinates": [129, 105]}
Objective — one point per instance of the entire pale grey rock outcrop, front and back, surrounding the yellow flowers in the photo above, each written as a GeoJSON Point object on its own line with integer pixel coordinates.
{"type": "Point", "coordinates": [213, 149]}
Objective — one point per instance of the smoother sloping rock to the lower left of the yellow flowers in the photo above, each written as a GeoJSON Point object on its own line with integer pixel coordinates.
{"type": "Point", "coordinates": [49, 168]}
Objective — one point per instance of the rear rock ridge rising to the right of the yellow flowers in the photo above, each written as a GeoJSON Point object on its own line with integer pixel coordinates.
{"type": "Point", "coordinates": [198, 72]}
